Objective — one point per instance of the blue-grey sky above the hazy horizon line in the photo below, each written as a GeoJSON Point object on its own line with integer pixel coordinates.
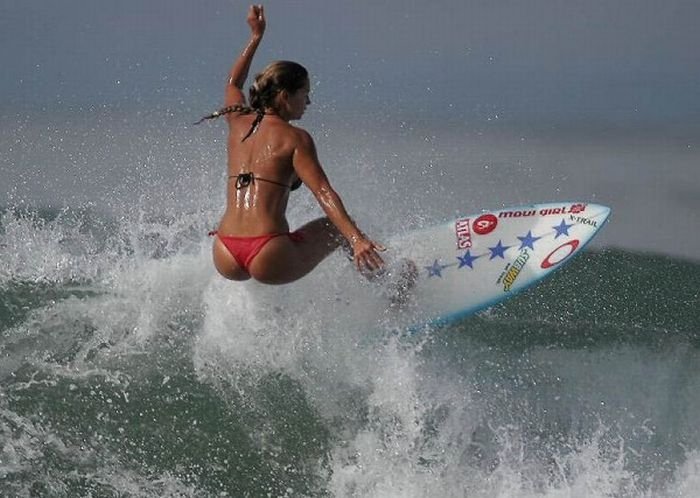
{"type": "Point", "coordinates": [634, 61]}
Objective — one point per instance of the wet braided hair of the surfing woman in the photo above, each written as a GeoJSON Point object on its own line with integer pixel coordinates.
{"type": "Point", "coordinates": [276, 77]}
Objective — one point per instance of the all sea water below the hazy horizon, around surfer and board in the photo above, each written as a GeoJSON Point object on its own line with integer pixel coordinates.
{"type": "Point", "coordinates": [130, 368]}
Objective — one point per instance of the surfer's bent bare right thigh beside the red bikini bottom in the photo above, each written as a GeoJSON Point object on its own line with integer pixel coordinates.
{"type": "Point", "coordinates": [285, 259]}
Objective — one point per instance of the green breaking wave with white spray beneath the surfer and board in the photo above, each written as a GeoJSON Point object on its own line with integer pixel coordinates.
{"type": "Point", "coordinates": [130, 369]}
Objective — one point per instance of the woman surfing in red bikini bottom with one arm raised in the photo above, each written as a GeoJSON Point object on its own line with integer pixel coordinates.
{"type": "Point", "coordinates": [268, 158]}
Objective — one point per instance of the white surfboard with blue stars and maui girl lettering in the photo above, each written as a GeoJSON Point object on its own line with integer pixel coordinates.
{"type": "Point", "coordinates": [476, 261]}
